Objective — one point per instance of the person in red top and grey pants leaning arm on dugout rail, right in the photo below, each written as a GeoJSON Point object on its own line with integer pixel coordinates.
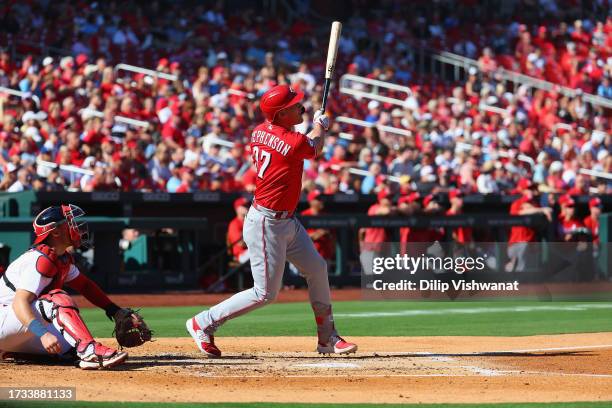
{"type": "Point", "coordinates": [520, 236]}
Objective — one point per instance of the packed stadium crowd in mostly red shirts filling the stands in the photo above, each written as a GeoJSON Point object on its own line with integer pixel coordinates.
{"type": "Point", "coordinates": [479, 135]}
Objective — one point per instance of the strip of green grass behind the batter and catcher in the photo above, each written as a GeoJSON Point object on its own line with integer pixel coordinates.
{"type": "Point", "coordinates": [499, 318]}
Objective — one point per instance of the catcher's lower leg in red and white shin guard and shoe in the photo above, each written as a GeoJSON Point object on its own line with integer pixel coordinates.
{"type": "Point", "coordinates": [58, 308]}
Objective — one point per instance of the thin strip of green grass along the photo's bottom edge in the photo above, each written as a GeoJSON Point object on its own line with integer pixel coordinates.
{"type": "Point", "coordinates": [76, 404]}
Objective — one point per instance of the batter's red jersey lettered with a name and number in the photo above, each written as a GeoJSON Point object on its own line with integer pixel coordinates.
{"type": "Point", "coordinates": [278, 156]}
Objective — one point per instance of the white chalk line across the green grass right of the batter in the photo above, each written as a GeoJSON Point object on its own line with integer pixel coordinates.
{"type": "Point", "coordinates": [581, 307]}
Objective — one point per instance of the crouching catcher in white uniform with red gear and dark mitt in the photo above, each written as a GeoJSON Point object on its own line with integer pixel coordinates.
{"type": "Point", "coordinates": [38, 317]}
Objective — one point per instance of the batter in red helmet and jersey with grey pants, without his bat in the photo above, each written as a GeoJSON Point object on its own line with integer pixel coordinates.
{"type": "Point", "coordinates": [272, 234]}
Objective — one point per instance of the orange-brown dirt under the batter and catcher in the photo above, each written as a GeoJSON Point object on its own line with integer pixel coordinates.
{"type": "Point", "coordinates": [575, 367]}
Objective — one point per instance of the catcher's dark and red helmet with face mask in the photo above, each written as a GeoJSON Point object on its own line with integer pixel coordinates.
{"type": "Point", "coordinates": [52, 217]}
